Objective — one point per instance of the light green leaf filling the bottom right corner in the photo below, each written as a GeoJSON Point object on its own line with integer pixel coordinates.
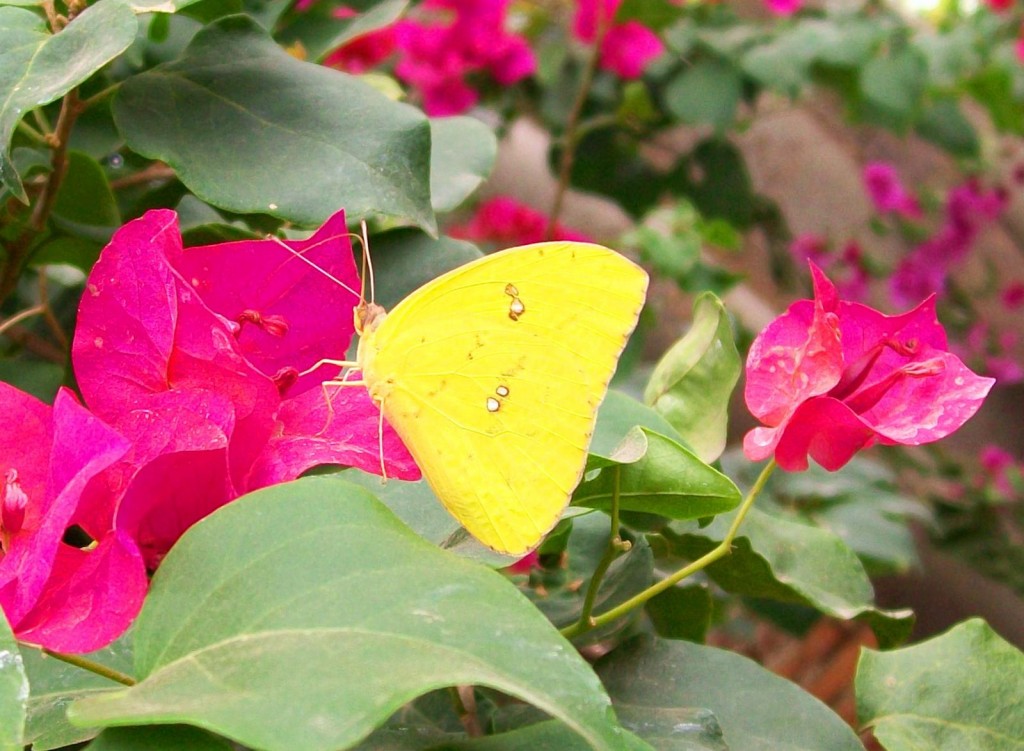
{"type": "Point", "coordinates": [959, 691]}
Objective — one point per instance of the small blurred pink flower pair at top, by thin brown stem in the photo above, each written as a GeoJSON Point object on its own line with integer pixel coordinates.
{"type": "Point", "coordinates": [626, 49]}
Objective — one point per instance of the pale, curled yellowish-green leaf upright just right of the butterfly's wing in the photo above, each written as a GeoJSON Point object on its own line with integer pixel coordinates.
{"type": "Point", "coordinates": [693, 384]}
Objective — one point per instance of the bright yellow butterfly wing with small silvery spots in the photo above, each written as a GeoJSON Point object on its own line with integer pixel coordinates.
{"type": "Point", "coordinates": [493, 373]}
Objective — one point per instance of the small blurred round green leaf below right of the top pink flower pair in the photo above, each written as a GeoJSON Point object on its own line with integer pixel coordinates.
{"type": "Point", "coordinates": [707, 93]}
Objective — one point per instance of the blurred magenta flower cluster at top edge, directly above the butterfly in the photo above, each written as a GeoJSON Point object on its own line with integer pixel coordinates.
{"type": "Point", "coordinates": [456, 40]}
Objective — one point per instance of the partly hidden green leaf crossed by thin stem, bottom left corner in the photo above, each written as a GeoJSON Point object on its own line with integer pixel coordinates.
{"type": "Point", "coordinates": [56, 685]}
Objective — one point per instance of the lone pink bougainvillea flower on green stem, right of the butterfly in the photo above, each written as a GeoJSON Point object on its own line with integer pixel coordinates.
{"type": "Point", "coordinates": [830, 379]}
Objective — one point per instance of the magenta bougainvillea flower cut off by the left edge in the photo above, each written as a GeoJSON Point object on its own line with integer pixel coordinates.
{"type": "Point", "coordinates": [64, 598]}
